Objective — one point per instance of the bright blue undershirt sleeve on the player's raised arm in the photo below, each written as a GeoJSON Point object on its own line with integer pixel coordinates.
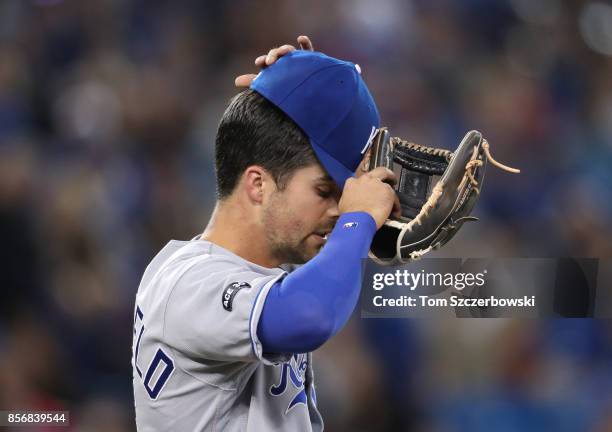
{"type": "Point", "coordinates": [314, 302]}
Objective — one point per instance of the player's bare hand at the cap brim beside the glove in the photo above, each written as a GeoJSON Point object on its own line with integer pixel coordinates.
{"type": "Point", "coordinates": [371, 193]}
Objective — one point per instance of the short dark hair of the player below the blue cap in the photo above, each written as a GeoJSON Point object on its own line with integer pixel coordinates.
{"type": "Point", "coordinates": [253, 131]}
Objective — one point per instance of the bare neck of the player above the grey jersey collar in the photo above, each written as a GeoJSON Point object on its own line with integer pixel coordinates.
{"type": "Point", "coordinates": [230, 229]}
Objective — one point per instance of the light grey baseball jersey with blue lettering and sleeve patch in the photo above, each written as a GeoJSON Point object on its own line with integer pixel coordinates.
{"type": "Point", "coordinates": [197, 362]}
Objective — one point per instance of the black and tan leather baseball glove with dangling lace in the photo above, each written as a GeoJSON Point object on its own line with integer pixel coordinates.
{"type": "Point", "coordinates": [437, 190]}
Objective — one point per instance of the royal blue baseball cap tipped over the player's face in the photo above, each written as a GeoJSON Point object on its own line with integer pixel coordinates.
{"type": "Point", "coordinates": [329, 101]}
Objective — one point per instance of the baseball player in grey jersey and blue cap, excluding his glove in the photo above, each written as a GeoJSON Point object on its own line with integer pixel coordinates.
{"type": "Point", "coordinates": [223, 330]}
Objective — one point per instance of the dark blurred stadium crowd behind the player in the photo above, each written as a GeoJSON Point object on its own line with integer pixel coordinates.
{"type": "Point", "coordinates": [108, 113]}
